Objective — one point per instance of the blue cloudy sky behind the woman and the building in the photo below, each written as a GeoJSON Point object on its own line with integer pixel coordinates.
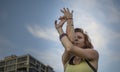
{"type": "Point", "coordinates": [27, 27]}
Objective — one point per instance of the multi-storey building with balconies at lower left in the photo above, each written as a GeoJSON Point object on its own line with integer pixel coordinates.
{"type": "Point", "coordinates": [25, 63]}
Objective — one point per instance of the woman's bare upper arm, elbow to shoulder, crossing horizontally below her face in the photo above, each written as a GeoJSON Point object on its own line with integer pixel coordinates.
{"type": "Point", "coordinates": [90, 54]}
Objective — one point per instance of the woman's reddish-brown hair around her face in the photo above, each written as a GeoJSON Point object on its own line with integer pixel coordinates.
{"type": "Point", "coordinates": [88, 43]}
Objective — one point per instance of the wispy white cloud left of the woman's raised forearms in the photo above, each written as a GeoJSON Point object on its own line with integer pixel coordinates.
{"type": "Point", "coordinates": [43, 32]}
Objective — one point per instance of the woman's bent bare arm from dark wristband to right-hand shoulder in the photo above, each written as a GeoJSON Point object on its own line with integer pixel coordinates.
{"type": "Point", "coordinates": [83, 53]}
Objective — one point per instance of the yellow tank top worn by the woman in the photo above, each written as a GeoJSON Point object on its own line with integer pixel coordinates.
{"type": "Point", "coordinates": [82, 67]}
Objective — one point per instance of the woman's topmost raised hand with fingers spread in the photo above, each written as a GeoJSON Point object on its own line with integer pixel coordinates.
{"type": "Point", "coordinates": [67, 14]}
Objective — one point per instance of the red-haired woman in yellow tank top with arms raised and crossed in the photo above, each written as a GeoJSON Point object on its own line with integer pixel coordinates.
{"type": "Point", "coordinates": [79, 55]}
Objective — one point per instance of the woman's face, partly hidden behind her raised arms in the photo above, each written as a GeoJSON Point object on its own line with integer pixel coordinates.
{"type": "Point", "coordinates": [79, 39]}
